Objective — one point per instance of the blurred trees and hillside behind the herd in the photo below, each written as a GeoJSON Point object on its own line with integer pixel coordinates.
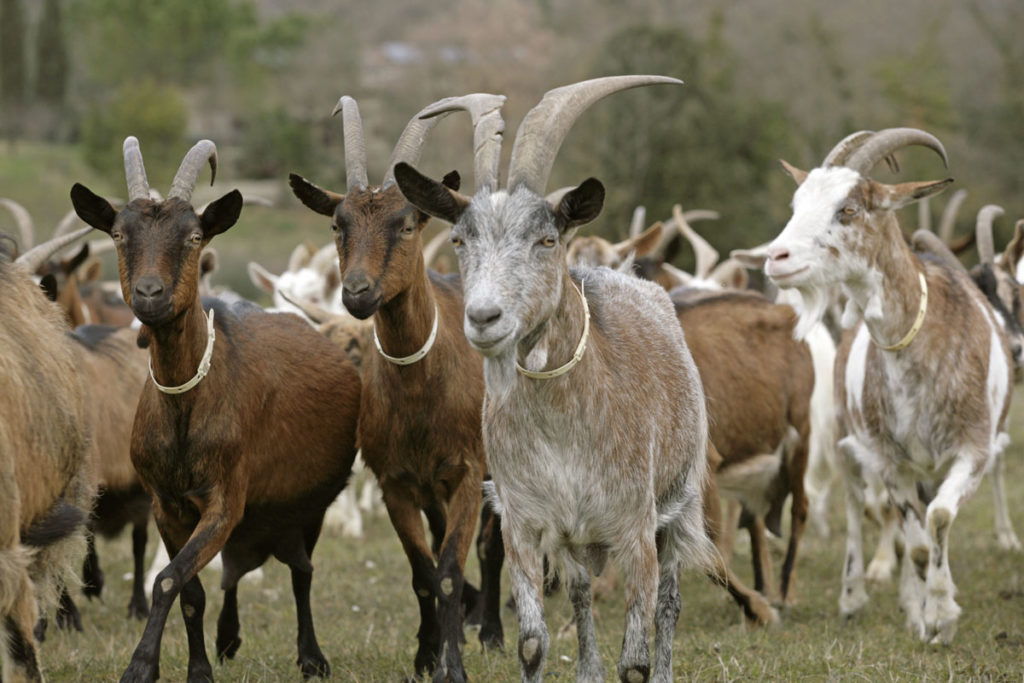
{"type": "Point", "coordinates": [778, 78]}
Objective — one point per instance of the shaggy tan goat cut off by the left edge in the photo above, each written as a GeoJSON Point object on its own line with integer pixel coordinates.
{"type": "Point", "coordinates": [46, 487]}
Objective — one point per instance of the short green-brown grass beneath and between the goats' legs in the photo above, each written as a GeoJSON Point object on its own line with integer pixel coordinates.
{"type": "Point", "coordinates": [367, 618]}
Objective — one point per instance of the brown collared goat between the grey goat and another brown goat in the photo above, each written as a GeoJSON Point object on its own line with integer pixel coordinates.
{"type": "Point", "coordinates": [420, 423]}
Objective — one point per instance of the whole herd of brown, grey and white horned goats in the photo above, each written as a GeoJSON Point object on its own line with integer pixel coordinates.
{"type": "Point", "coordinates": [545, 395]}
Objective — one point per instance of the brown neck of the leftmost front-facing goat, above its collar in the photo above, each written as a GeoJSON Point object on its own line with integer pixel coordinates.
{"type": "Point", "coordinates": [177, 348]}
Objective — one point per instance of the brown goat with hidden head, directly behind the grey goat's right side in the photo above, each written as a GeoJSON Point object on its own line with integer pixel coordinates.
{"type": "Point", "coordinates": [754, 402]}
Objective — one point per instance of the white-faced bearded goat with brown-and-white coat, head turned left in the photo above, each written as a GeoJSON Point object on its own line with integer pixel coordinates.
{"type": "Point", "coordinates": [924, 388]}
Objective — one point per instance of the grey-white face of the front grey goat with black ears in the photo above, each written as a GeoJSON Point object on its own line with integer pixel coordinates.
{"type": "Point", "coordinates": [511, 255]}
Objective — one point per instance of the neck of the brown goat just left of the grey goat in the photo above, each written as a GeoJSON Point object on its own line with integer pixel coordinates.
{"type": "Point", "coordinates": [405, 322]}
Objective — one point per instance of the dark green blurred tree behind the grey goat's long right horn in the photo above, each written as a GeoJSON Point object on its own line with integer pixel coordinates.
{"type": "Point", "coordinates": [704, 146]}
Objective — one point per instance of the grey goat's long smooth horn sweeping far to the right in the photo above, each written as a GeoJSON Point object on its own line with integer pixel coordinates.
{"type": "Point", "coordinates": [545, 129]}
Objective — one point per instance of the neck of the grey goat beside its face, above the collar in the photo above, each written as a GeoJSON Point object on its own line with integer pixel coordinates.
{"type": "Point", "coordinates": [552, 344]}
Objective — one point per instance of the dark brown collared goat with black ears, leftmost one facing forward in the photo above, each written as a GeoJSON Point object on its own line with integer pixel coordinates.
{"type": "Point", "coordinates": [244, 457]}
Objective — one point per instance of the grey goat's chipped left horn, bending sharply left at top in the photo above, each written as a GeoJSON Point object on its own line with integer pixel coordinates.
{"type": "Point", "coordinates": [489, 126]}
